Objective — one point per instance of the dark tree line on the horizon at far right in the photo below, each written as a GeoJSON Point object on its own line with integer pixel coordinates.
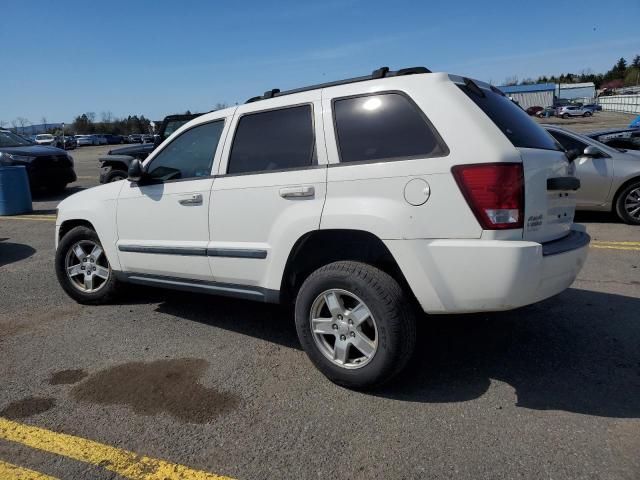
{"type": "Point", "coordinates": [622, 74]}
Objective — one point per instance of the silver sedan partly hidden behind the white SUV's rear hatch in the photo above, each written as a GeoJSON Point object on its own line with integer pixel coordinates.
{"type": "Point", "coordinates": [609, 177]}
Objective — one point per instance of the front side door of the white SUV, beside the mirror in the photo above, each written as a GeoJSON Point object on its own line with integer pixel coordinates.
{"type": "Point", "coordinates": [163, 221]}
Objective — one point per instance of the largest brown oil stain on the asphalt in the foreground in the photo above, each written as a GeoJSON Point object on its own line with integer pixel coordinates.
{"type": "Point", "coordinates": [151, 388]}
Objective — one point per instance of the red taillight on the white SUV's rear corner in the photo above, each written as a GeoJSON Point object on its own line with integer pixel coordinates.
{"type": "Point", "coordinates": [495, 193]}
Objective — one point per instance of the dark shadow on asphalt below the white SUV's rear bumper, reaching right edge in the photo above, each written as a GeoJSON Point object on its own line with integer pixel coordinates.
{"type": "Point", "coordinates": [577, 352]}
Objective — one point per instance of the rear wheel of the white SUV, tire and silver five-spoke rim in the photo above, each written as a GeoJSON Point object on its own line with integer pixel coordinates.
{"type": "Point", "coordinates": [390, 327]}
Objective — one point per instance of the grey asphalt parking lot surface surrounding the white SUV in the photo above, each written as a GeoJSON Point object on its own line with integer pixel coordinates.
{"type": "Point", "coordinates": [168, 382]}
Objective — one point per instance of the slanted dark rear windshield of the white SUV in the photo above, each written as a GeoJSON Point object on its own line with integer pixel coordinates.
{"type": "Point", "coordinates": [515, 123]}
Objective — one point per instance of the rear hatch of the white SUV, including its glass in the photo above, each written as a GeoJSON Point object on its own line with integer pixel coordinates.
{"type": "Point", "coordinates": [549, 198]}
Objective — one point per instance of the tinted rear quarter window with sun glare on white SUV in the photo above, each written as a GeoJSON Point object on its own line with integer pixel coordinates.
{"type": "Point", "coordinates": [386, 126]}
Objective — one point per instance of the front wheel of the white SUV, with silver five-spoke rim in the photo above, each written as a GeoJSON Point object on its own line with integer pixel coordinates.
{"type": "Point", "coordinates": [104, 288]}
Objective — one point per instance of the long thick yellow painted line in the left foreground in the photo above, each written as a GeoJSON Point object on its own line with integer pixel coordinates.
{"type": "Point", "coordinates": [125, 463]}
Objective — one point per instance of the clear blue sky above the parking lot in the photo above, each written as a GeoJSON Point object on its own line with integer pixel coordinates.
{"type": "Point", "coordinates": [59, 59]}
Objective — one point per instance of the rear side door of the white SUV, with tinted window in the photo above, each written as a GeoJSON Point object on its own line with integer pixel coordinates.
{"type": "Point", "coordinates": [269, 190]}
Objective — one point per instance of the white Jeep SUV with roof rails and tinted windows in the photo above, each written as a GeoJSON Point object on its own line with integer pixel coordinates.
{"type": "Point", "coordinates": [356, 200]}
